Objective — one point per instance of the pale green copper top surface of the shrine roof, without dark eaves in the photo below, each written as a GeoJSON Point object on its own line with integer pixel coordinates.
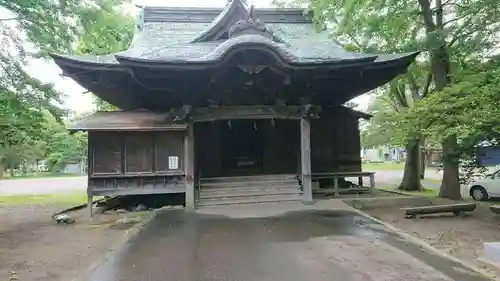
{"type": "Point", "coordinates": [180, 36]}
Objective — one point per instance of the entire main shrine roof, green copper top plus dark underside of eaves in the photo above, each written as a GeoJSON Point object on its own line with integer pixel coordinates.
{"type": "Point", "coordinates": [197, 42]}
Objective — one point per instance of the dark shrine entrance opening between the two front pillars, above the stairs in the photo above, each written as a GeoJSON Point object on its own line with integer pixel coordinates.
{"type": "Point", "coordinates": [229, 148]}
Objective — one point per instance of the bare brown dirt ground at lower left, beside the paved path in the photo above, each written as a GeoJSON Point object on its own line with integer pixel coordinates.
{"type": "Point", "coordinates": [33, 247]}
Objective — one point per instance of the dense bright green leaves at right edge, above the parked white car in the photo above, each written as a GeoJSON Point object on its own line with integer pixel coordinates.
{"type": "Point", "coordinates": [469, 109]}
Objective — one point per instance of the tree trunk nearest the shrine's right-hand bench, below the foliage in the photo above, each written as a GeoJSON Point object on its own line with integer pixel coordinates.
{"type": "Point", "coordinates": [411, 176]}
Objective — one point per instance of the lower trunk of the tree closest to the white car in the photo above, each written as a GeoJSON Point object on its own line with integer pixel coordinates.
{"type": "Point", "coordinates": [450, 186]}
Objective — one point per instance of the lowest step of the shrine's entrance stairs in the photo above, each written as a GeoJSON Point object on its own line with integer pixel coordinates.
{"type": "Point", "coordinates": [249, 200]}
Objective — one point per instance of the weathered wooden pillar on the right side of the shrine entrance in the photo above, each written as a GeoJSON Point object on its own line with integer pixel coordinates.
{"type": "Point", "coordinates": [305, 160]}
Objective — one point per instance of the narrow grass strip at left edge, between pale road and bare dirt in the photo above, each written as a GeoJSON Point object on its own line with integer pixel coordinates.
{"type": "Point", "coordinates": [56, 198]}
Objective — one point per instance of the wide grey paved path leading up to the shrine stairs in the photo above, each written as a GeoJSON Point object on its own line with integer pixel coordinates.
{"type": "Point", "coordinates": [305, 244]}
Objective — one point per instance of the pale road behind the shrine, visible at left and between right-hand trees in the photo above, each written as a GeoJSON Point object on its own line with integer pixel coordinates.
{"type": "Point", "coordinates": [68, 184]}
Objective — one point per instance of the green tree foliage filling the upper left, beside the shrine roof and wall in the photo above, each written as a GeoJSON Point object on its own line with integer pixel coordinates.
{"type": "Point", "coordinates": [31, 117]}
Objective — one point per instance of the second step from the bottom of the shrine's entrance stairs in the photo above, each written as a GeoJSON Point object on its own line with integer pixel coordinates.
{"type": "Point", "coordinates": [248, 192]}
